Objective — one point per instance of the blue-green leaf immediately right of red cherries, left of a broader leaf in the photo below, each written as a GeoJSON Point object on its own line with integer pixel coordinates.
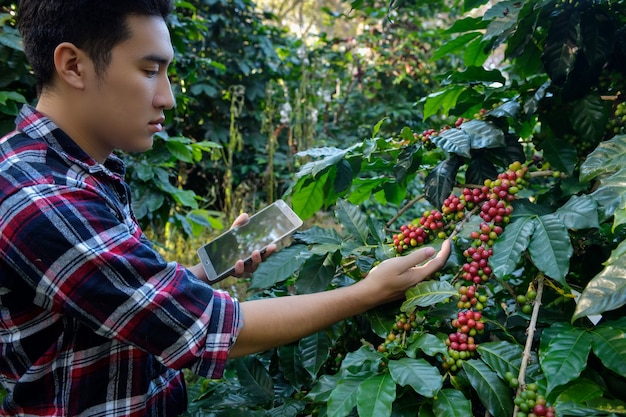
{"type": "Point", "coordinates": [508, 249]}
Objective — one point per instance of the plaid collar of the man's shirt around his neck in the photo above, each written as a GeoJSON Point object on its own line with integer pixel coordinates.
{"type": "Point", "coordinates": [37, 126]}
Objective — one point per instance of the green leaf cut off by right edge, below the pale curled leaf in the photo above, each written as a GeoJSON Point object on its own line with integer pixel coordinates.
{"type": "Point", "coordinates": [609, 344]}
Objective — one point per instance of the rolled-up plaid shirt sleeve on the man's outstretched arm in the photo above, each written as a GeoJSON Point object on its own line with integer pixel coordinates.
{"type": "Point", "coordinates": [81, 260]}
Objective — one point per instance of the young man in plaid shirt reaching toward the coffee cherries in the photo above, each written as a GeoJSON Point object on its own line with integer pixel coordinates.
{"type": "Point", "coordinates": [94, 321]}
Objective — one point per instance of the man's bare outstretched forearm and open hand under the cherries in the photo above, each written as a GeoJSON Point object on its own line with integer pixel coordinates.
{"type": "Point", "coordinates": [277, 321]}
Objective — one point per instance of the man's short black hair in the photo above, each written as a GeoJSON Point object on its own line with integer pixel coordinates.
{"type": "Point", "coordinates": [95, 26]}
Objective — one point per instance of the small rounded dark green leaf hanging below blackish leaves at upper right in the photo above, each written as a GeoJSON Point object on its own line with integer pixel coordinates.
{"type": "Point", "coordinates": [589, 117]}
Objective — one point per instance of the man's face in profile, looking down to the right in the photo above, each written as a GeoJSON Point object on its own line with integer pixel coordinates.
{"type": "Point", "coordinates": [125, 105]}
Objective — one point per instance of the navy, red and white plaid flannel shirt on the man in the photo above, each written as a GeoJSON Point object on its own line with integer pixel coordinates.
{"type": "Point", "coordinates": [93, 322]}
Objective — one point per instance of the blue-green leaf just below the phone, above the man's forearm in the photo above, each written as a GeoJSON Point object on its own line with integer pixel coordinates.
{"type": "Point", "coordinates": [280, 266]}
